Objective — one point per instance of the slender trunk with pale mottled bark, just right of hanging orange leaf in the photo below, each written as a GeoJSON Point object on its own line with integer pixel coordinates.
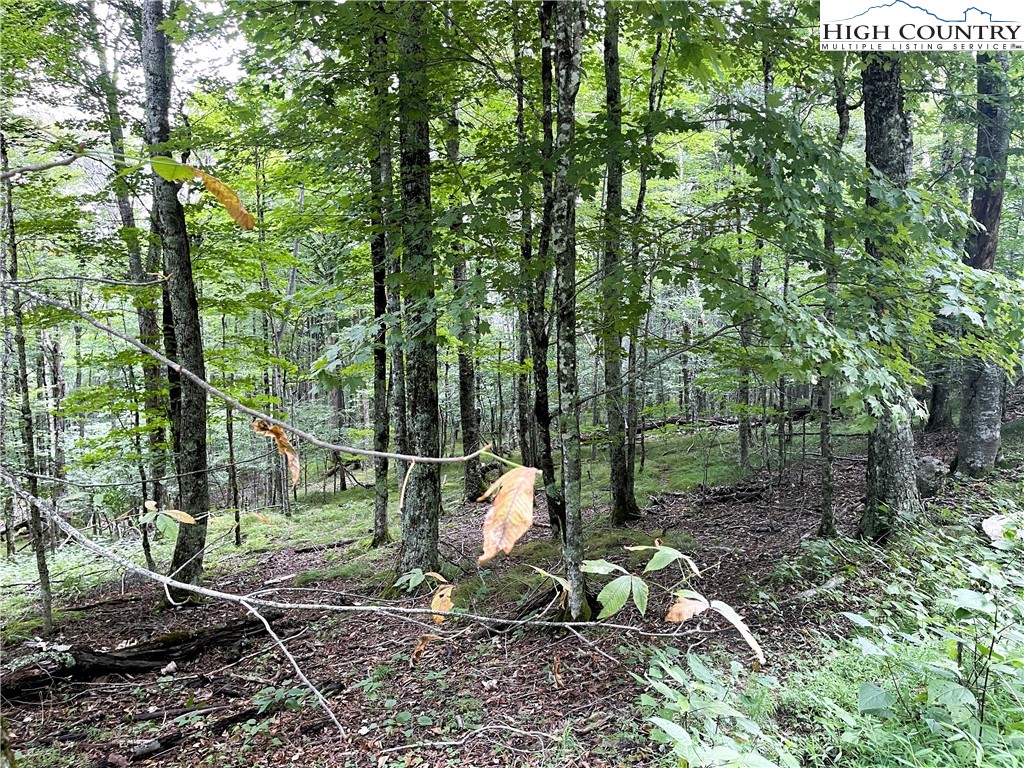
{"type": "Point", "coordinates": [569, 60]}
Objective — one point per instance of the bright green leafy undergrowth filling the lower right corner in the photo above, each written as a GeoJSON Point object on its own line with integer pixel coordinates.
{"type": "Point", "coordinates": [925, 667]}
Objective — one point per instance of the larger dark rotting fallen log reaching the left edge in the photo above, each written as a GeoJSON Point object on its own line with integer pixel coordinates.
{"type": "Point", "coordinates": [47, 668]}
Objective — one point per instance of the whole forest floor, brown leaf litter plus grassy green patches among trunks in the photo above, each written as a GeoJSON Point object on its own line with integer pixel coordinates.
{"type": "Point", "coordinates": [529, 697]}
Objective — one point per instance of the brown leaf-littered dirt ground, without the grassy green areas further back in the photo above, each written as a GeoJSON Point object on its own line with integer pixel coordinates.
{"type": "Point", "coordinates": [530, 697]}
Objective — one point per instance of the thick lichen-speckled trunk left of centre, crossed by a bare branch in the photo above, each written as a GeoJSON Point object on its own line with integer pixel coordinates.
{"type": "Point", "coordinates": [420, 518]}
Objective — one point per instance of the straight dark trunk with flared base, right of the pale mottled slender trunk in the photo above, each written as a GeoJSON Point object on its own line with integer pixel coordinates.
{"type": "Point", "coordinates": [624, 503]}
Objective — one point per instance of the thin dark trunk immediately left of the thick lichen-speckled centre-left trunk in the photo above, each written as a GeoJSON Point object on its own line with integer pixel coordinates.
{"type": "Point", "coordinates": [380, 178]}
